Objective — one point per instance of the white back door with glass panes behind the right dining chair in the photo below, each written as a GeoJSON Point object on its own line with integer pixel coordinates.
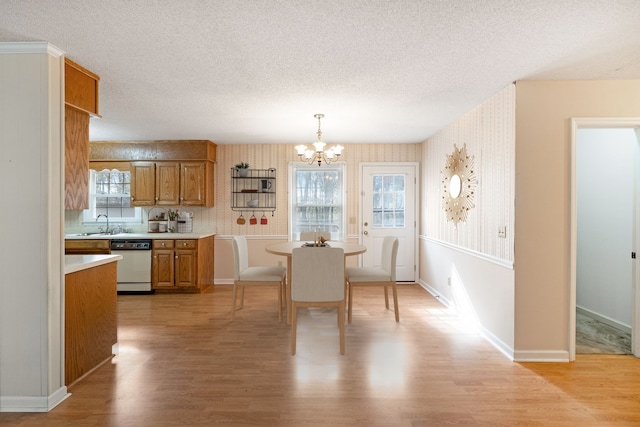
{"type": "Point", "coordinates": [389, 210]}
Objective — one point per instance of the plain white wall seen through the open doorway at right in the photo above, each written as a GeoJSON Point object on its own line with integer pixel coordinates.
{"type": "Point", "coordinates": [605, 188]}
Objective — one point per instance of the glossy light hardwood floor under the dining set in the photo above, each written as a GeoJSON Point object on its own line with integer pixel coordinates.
{"type": "Point", "coordinates": [183, 363]}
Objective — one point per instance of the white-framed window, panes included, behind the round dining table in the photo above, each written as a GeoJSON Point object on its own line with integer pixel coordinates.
{"type": "Point", "coordinates": [316, 199]}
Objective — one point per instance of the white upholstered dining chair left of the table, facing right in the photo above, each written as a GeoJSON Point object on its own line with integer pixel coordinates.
{"type": "Point", "coordinates": [243, 275]}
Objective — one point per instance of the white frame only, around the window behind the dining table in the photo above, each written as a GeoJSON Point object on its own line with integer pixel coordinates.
{"type": "Point", "coordinates": [340, 167]}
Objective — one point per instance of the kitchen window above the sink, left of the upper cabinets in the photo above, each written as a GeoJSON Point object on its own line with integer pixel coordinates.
{"type": "Point", "coordinates": [110, 194]}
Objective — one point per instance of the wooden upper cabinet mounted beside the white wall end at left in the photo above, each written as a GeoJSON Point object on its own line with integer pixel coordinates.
{"type": "Point", "coordinates": [81, 100]}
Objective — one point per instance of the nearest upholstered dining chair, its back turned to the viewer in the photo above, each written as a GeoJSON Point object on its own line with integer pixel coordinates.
{"type": "Point", "coordinates": [317, 281]}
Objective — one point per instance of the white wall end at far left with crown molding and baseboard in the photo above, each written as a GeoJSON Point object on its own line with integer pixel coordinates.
{"type": "Point", "coordinates": [31, 255]}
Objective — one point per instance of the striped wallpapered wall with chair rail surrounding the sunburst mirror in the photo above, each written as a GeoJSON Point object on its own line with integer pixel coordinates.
{"type": "Point", "coordinates": [479, 263]}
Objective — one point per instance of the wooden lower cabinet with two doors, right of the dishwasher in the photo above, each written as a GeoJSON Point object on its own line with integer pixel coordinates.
{"type": "Point", "coordinates": [182, 265]}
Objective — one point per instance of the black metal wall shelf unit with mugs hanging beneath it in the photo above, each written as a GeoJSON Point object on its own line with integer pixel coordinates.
{"type": "Point", "coordinates": [253, 190]}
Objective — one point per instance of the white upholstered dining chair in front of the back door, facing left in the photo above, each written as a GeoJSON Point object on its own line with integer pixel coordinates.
{"type": "Point", "coordinates": [383, 275]}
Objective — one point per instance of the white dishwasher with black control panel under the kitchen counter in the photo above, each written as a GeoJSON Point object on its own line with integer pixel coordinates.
{"type": "Point", "coordinates": [134, 269]}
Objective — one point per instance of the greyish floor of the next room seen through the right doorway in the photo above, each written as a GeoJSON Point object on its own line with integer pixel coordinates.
{"type": "Point", "coordinates": [593, 336]}
